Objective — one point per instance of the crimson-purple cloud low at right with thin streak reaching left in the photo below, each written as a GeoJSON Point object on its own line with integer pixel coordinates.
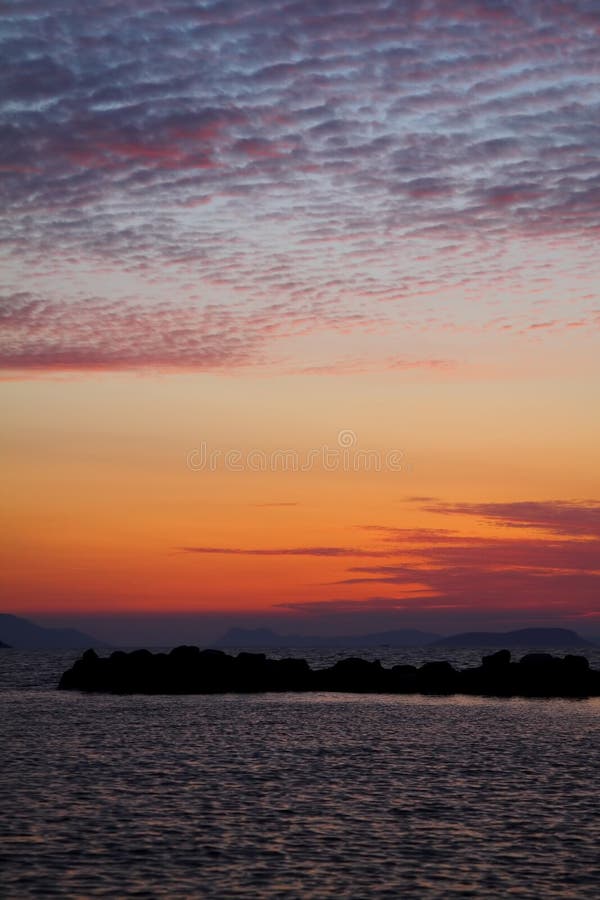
{"type": "Point", "coordinates": [552, 576]}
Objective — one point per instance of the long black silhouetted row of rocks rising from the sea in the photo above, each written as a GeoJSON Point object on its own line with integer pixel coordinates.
{"type": "Point", "coordinates": [189, 670]}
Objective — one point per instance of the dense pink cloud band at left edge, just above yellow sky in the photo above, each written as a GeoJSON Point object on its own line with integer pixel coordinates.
{"type": "Point", "coordinates": [98, 334]}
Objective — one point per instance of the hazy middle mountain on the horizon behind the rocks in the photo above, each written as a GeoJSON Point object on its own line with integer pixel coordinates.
{"type": "Point", "coordinates": [264, 637]}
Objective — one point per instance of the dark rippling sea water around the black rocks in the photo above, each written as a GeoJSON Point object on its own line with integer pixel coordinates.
{"type": "Point", "coordinates": [315, 795]}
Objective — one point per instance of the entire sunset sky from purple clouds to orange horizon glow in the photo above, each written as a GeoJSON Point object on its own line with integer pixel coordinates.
{"type": "Point", "coordinates": [299, 315]}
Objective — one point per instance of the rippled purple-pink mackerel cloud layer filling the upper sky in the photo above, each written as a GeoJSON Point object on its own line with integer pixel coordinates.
{"type": "Point", "coordinates": [415, 172]}
